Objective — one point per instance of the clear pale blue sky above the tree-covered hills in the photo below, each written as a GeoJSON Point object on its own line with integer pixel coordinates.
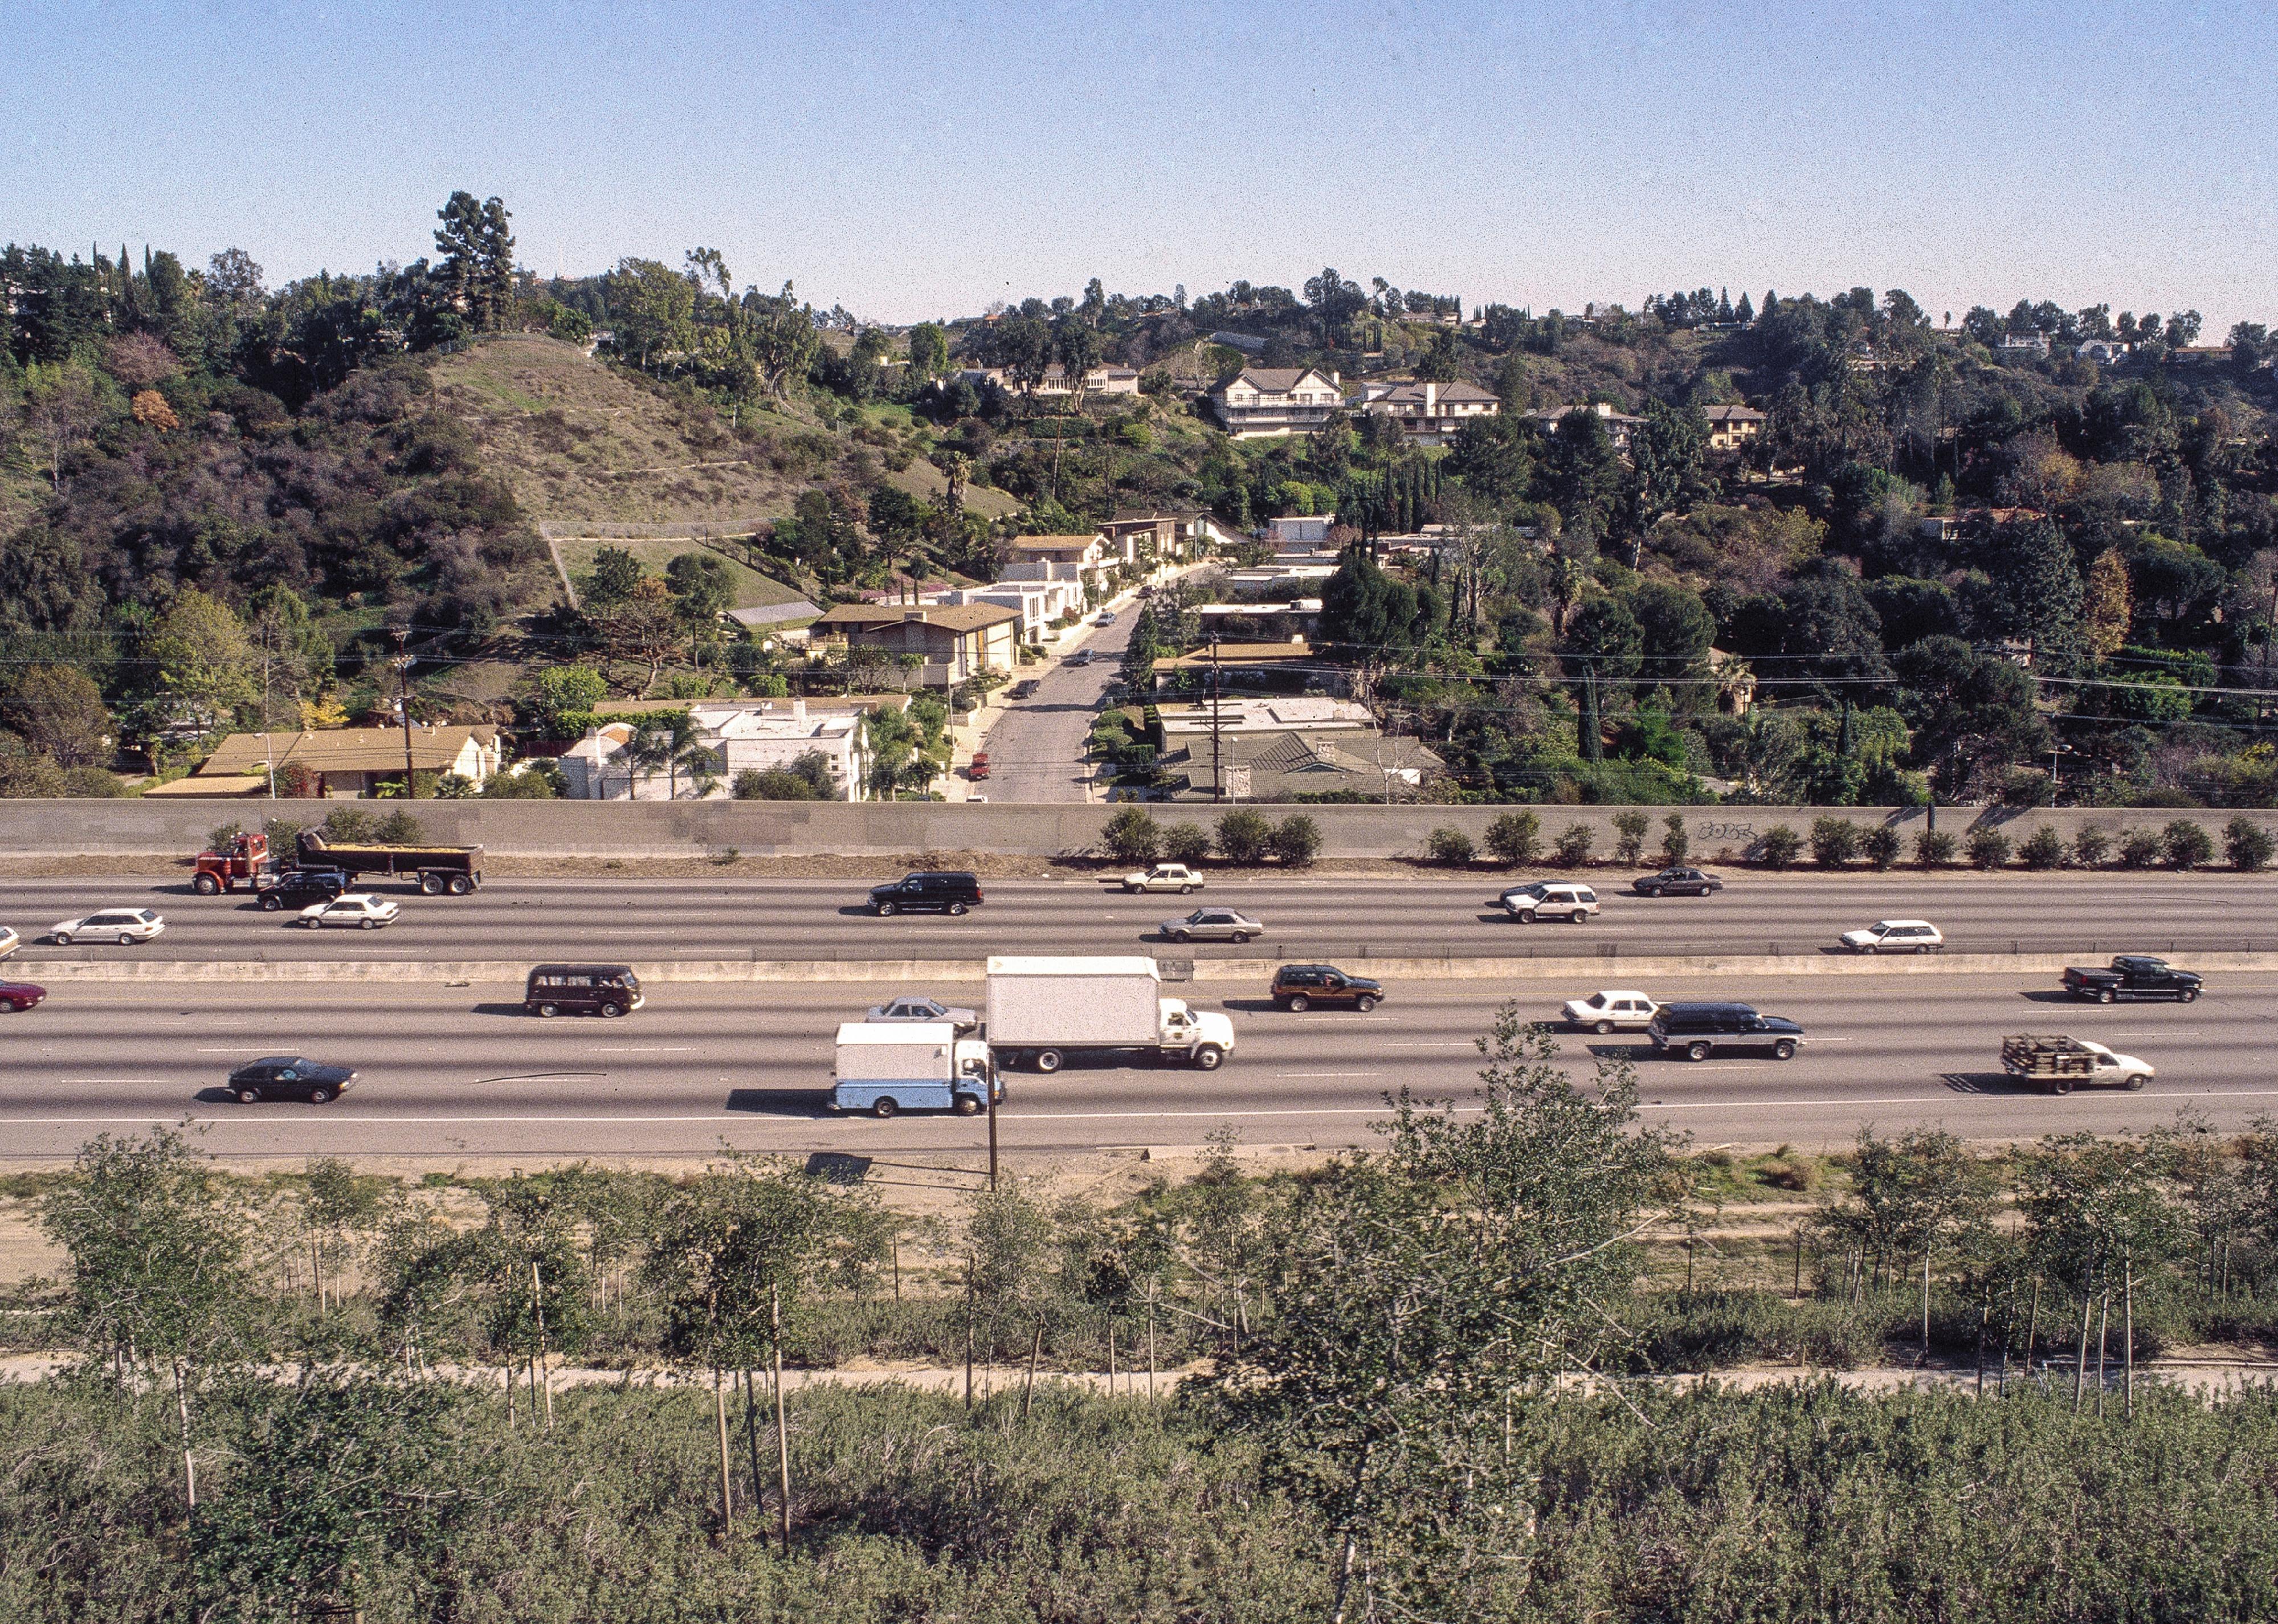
{"type": "Point", "coordinates": [917, 161]}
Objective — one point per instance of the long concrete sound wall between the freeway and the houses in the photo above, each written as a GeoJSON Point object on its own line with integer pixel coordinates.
{"type": "Point", "coordinates": [138, 828]}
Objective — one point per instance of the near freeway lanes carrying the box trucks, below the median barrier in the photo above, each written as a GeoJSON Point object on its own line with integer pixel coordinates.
{"type": "Point", "coordinates": [459, 1074]}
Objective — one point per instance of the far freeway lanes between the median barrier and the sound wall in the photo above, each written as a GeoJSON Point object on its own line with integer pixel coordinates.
{"type": "Point", "coordinates": [1322, 914]}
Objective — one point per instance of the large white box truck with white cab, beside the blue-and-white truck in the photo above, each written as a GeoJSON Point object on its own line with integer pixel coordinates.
{"type": "Point", "coordinates": [1044, 1010]}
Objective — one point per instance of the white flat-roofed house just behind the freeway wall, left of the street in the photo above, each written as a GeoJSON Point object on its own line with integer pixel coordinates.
{"type": "Point", "coordinates": [751, 737]}
